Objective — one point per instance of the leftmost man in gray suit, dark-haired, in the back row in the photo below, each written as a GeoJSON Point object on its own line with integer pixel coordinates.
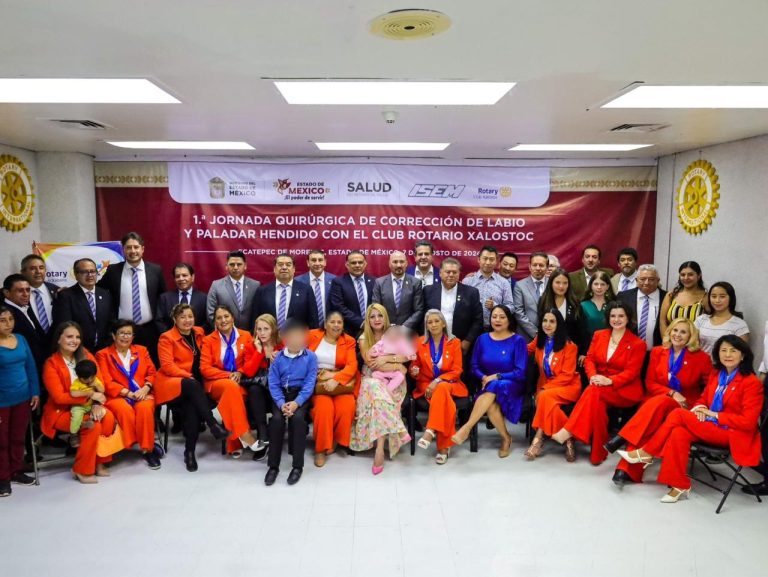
{"type": "Point", "coordinates": [235, 291]}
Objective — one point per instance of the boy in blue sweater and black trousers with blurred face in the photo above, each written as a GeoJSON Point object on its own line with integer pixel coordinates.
{"type": "Point", "coordinates": [292, 377]}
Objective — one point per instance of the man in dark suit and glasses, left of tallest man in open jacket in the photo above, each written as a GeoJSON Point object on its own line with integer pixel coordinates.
{"type": "Point", "coordinates": [88, 305]}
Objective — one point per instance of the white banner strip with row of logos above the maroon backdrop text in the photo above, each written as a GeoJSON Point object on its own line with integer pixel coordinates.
{"type": "Point", "coordinates": [357, 184]}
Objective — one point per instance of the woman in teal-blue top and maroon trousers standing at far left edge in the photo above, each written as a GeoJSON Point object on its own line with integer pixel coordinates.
{"type": "Point", "coordinates": [19, 395]}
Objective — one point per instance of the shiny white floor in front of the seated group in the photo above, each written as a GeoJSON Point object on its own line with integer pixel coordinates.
{"type": "Point", "coordinates": [477, 515]}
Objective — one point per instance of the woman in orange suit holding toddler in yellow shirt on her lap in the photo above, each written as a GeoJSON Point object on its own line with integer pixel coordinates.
{"type": "Point", "coordinates": [58, 374]}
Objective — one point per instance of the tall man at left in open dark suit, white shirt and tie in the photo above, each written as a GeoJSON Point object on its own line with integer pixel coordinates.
{"type": "Point", "coordinates": [135, 286]}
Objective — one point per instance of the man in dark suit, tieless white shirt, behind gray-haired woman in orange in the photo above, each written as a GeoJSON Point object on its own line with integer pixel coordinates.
{"type": "Point", "coordinates": [459, 303]}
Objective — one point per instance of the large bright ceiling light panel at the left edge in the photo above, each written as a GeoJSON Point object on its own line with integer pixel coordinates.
{"type": "Point", "coordinates": [83, 90]}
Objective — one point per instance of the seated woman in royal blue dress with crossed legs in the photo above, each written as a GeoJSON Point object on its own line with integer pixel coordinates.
{"type": "Point", "coordinates": [498, 362]}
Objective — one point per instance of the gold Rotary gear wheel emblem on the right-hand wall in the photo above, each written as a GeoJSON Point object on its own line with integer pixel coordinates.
{"type": "Point", "coordinates": [697, 197]}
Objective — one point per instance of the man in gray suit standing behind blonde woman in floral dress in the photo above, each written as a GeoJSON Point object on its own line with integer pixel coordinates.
{"type": "Point", "coordinates": [401, 294]}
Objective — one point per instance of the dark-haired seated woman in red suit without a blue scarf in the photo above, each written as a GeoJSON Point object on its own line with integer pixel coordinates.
{"type": "Point", "coordinates": [613, 365]}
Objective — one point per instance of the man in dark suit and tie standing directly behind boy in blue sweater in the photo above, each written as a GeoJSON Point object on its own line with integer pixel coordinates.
{"type": "Point", "coordinates": [286, 298]}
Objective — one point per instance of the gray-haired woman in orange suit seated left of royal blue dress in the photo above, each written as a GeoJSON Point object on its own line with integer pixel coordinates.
{"type": "Point", "coordinates": [437, 370]}
